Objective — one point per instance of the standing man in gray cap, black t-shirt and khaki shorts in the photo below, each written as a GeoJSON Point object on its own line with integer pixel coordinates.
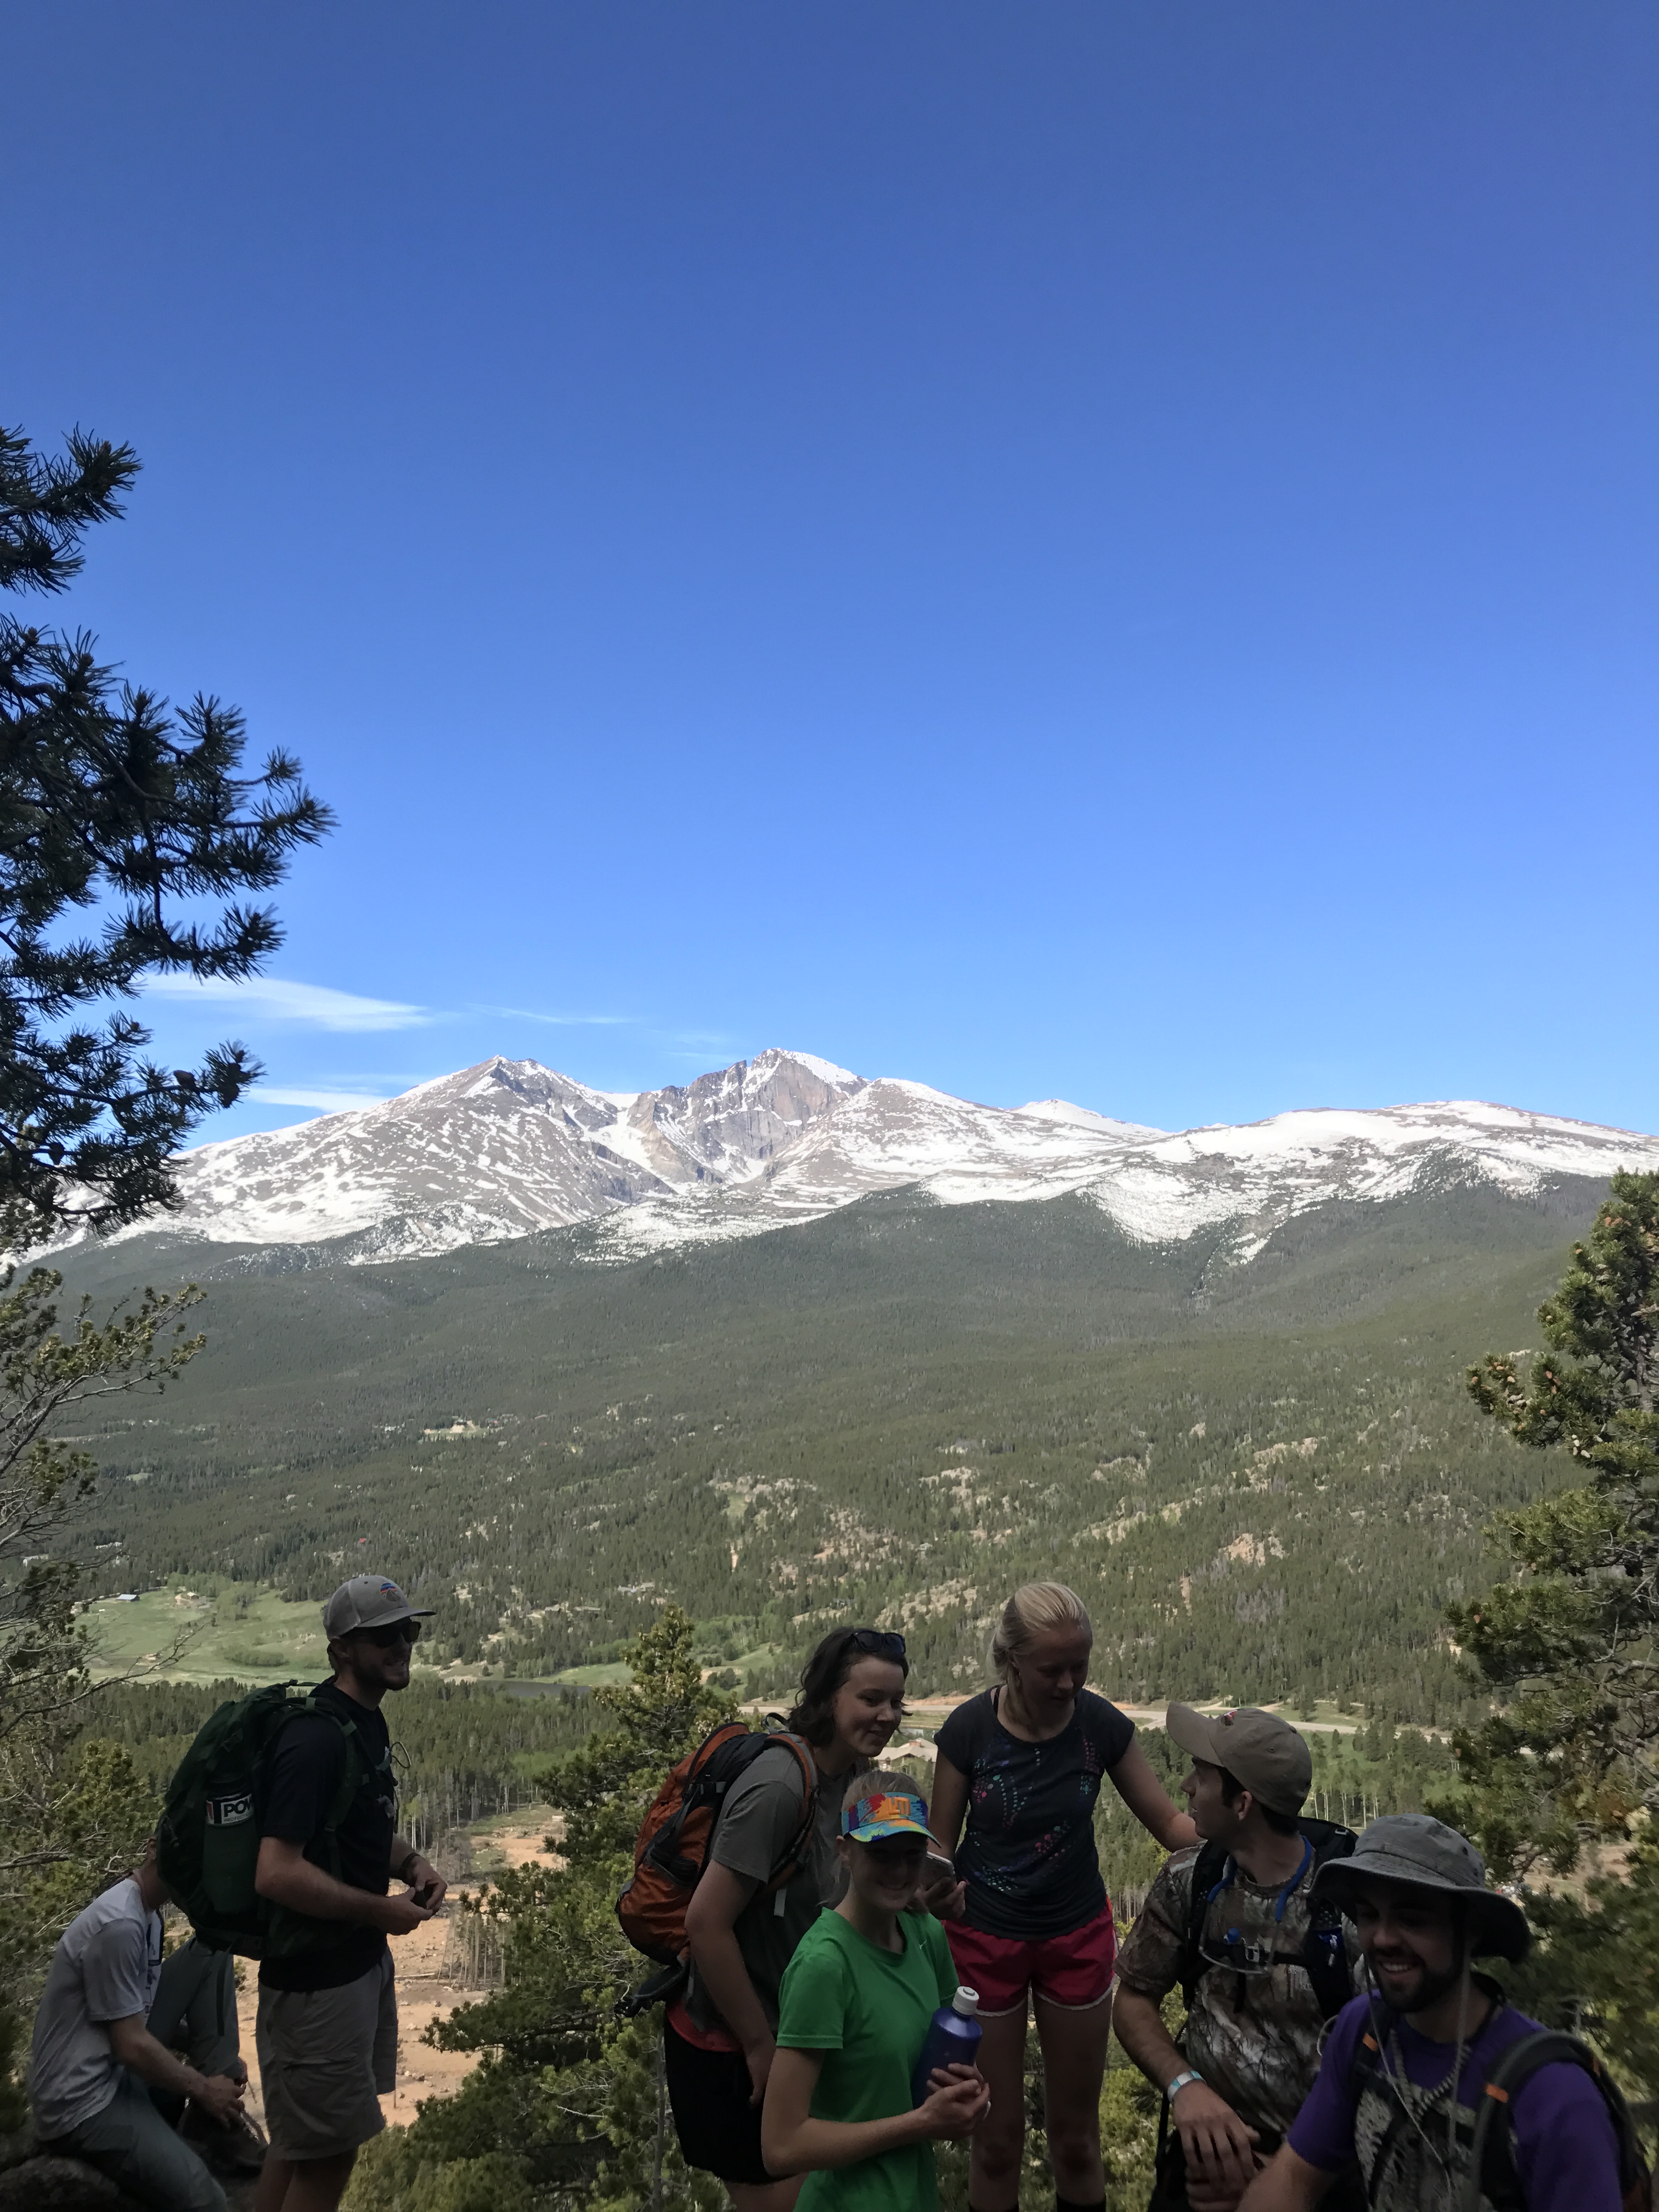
{"type": "Point", "coordinates": [328, 1855]}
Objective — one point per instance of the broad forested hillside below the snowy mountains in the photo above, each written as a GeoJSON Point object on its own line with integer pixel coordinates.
{"type": "Point", "coordinates": [1266, 1479]}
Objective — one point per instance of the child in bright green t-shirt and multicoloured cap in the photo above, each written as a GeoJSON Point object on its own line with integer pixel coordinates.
{"type": "Point", "coordinates": [855, 2010]}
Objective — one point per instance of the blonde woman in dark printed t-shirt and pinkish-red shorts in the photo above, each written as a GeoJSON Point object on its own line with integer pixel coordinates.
{"type": "Point", "coordinates": [1025, 1764]}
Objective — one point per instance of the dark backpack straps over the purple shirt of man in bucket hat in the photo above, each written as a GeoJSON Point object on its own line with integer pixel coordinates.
{"type": "Point", "coordinates": [1483, 2138]}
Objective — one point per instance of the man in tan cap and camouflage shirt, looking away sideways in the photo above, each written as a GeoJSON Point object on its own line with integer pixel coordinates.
{"type": "Point", "coordinates": [1262, 1968]}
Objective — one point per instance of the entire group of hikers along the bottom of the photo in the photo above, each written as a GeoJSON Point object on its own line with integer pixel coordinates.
{"type": "Point", "coordinates": [1339, 2045]}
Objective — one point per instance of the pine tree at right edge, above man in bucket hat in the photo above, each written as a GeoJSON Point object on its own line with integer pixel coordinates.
{"type": "Point", "coordinates": [1572, 1640]}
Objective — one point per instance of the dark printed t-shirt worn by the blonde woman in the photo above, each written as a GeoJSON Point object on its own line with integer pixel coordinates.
{"type": "Point", "coordinates": [1030, 1844]}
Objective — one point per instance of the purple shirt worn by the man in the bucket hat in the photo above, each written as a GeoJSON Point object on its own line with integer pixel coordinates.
{"type": "Point", "coordinates": [1565, 2147]}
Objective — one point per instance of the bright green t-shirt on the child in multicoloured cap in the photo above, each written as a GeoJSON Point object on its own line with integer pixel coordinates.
{"type": "Point", "coordinates": [868, 2012]}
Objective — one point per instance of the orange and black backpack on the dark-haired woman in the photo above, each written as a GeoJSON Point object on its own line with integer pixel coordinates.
{"type": "Point", "coordinates": [671, 1850]}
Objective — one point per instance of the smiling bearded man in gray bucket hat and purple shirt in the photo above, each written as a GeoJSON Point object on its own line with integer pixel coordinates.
{"type": "Point", "coordinates": [1406, 2072]}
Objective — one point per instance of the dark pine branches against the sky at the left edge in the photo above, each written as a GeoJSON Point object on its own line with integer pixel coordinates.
{"type": "Point", "coordinates": [118, 811]}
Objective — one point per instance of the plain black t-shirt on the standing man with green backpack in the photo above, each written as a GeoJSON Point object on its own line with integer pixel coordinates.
{"type": "Point", "coordinates": [302, 1782]}
